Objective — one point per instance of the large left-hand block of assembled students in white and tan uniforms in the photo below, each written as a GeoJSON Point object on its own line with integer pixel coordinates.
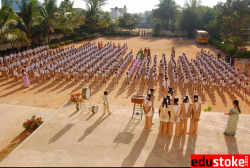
{"type": "Point", "coordinates": [82, 63]}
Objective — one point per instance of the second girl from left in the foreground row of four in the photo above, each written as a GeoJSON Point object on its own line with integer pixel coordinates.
{"type": "Point", "coordinates": [175, 112]}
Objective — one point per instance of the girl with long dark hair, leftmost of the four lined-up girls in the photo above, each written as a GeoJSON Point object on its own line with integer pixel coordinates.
{"type": "Point", "coordinates": [164, 117]}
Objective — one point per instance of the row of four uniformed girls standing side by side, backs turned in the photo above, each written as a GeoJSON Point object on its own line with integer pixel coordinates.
{"type": "Point", "coordinates": [172, 113]}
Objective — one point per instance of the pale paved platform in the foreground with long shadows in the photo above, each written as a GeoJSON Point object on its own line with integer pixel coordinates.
{"type": "Point", "coordinates": [72, 138]}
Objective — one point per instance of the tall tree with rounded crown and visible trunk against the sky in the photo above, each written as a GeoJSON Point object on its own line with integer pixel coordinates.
{"type": "Point", "coordinates": [167, 10]}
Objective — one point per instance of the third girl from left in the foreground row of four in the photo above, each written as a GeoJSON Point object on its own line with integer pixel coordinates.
{"type": "Point", "coordinates": [185, 115]}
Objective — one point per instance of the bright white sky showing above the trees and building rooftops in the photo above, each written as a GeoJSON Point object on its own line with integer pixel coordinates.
{"type": "Point", "coordinates": [138, 6]}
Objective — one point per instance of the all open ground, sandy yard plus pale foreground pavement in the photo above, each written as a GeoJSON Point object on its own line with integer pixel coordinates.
{"type": "Point", "coordinates": [92, 139]}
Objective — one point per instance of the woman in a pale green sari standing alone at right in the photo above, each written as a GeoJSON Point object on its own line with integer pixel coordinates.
{"type": "Point", "coordinates": [233, 119]}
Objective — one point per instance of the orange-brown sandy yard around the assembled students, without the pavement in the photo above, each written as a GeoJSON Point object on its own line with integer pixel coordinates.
{"type": "Point", "coordinates": [53, 95]}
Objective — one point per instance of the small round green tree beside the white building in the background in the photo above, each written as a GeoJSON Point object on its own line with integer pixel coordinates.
{"type": "Point", "coordinates": [128, 21]}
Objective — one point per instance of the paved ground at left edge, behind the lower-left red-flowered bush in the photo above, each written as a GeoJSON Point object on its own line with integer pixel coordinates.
{"type": "Point", "coordinates": [12, 118]}
